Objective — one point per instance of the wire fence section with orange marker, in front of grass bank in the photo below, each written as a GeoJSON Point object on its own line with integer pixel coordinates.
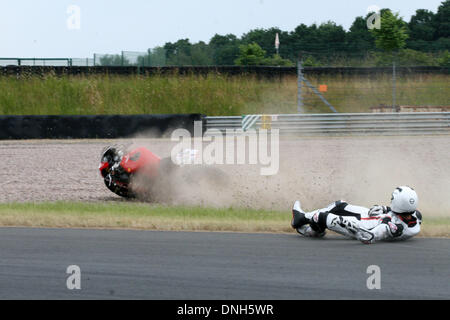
{"type": "Point", "coordinates": [388, 90]}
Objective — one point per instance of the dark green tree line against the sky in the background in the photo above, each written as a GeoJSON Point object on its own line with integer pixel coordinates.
{"type": "Point", "coordinates": [424, 40]}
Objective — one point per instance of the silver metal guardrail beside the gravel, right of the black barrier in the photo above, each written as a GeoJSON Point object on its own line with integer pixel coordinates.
{"type": "Point", "coordinates": [422, 123]}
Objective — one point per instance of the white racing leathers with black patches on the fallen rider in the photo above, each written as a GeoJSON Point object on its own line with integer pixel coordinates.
{"type": "Point", "coordinates": [347, 219]}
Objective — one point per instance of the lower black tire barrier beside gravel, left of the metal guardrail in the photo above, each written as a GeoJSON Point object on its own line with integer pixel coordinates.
{"type": "Point", "coordinates": [94, 127]}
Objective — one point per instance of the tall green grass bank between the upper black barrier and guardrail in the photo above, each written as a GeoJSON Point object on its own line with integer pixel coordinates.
{"type": "Point", "coordinates": [211, 95]}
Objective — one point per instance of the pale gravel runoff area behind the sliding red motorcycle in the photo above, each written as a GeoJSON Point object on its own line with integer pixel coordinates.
{"type": "Point", "coordinates": [316, 170]}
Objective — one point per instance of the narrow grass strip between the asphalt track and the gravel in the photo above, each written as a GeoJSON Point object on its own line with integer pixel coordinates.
{"type": "Point", "coordinates": [140, 216]}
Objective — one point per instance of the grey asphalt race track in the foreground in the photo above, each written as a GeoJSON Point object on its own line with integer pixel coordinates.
{"type": "Point", "coordinates": [180, 265]}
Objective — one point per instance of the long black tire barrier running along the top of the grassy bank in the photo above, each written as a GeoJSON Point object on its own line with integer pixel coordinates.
{"type": "Point", "coordinates": [258, 71]}
